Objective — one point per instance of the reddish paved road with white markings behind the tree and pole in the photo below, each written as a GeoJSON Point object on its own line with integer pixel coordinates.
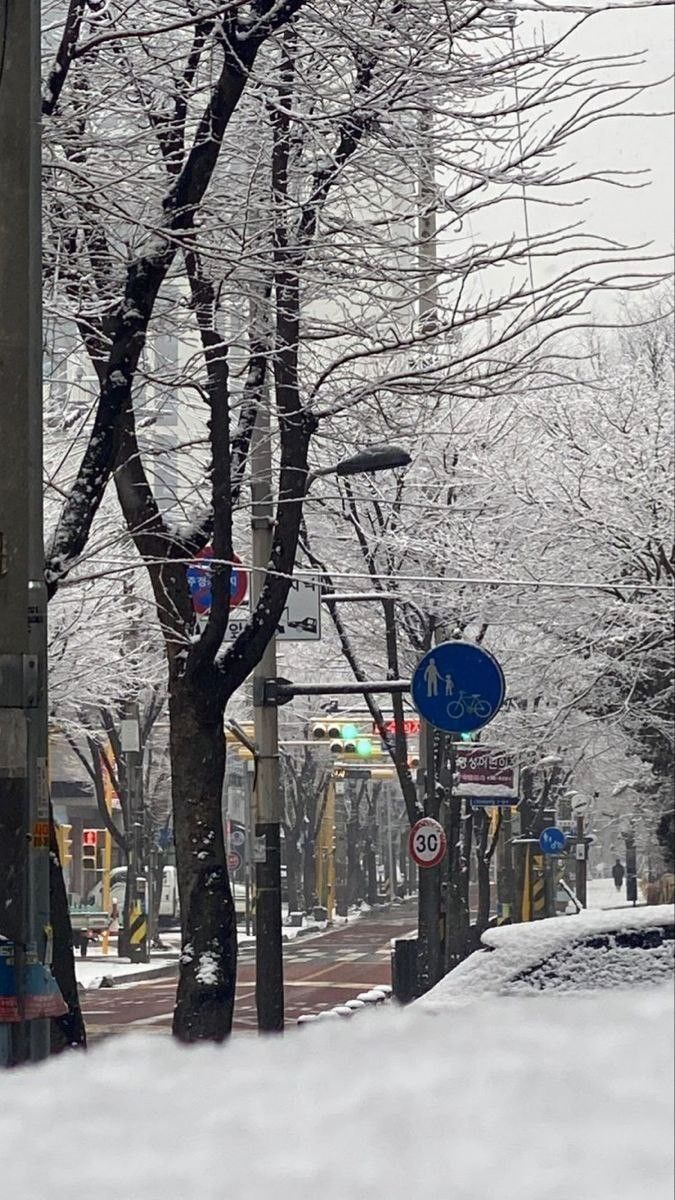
{"type": "Point", "coordinates": [320, 971]}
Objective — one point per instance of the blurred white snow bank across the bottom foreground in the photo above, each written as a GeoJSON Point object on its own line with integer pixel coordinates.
{"type": "Point", "coordinates": [510, 1100]}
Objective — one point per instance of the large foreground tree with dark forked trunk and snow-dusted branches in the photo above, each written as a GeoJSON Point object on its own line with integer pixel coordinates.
{"type": "Point", "coordinates": [249, 182]}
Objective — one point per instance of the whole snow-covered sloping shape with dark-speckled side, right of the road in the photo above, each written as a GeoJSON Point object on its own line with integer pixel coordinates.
{"type": "Point", "coordinates": [598, 950]}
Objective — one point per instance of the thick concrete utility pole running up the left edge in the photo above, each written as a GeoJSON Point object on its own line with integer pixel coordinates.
{"type": "Point", "coordinates": [25, 802]}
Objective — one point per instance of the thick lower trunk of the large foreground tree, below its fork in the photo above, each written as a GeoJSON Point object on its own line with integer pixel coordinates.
{"type": "Point", "coordinates": [208, 964]}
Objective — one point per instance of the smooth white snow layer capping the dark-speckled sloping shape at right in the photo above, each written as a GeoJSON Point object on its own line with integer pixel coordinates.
{"type": "Point", "coordinates": [513, 950]}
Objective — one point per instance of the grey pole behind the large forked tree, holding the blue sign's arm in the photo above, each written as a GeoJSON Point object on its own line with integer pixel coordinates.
{"type": "Point", "coordinates": [270, 961]}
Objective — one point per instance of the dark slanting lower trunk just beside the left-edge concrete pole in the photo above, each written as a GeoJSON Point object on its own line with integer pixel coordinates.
{"type": "Point", "coordinates": [69, 1030]}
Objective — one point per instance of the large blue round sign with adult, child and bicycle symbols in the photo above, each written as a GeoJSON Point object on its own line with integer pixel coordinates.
{"type": "Point", "coordinates": [458, 687]}
